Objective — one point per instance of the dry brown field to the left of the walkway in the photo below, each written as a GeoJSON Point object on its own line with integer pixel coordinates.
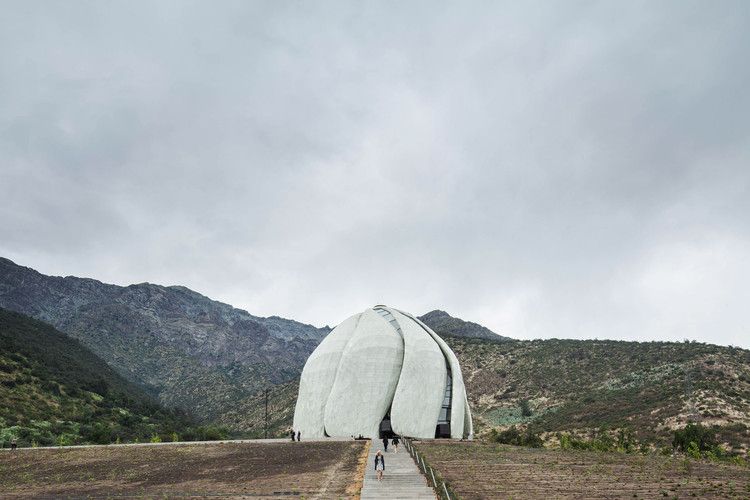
{"type": "Point", "coordinates": [265, 470]}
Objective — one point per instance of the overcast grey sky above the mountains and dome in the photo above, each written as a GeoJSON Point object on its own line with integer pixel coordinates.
{"type": "Point", "coordinates": [547, 169]}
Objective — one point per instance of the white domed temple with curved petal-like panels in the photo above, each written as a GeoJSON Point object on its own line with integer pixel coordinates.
{"type": "Point", "coordinates": [382, 372]}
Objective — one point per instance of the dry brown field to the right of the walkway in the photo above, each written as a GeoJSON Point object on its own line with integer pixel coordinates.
{"type": "Point", "coordinates": [477, 470]}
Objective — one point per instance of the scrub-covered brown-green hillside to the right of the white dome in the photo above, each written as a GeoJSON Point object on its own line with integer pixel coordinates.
{"type": "Point", "coordinates": [595, 386]}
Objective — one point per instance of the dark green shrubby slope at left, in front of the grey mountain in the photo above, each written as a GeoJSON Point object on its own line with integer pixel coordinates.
{"type": "Point", "coordinates": [55, 391]}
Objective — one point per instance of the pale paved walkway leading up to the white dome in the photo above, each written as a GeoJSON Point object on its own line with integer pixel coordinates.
{"type": "Point", "coordinates": [402, 478]}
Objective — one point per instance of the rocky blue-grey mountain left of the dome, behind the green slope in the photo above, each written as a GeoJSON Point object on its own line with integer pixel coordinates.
{"type": "Point", "coordinates": [191, 352]}
